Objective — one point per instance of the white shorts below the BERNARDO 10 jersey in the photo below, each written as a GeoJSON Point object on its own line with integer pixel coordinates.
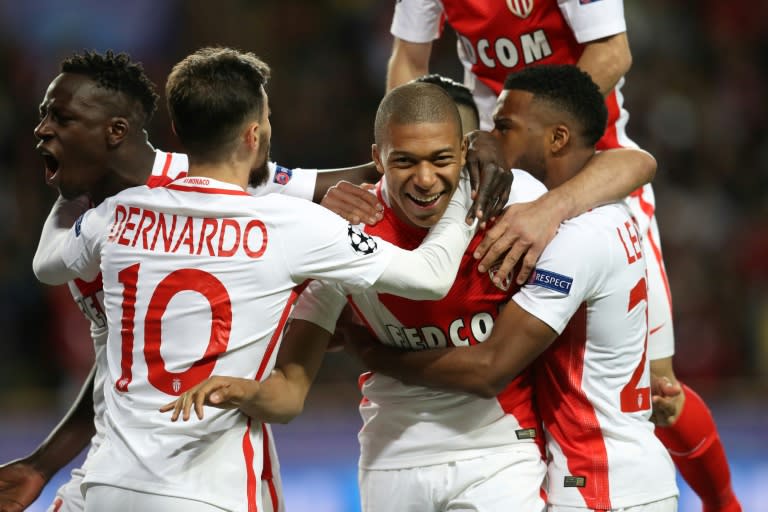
{"type": "Point", "coordinates": [99, 498]}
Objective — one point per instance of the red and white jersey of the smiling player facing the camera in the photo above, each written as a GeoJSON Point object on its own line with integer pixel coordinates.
{"type": "Point", "coordinates": [406, 425]}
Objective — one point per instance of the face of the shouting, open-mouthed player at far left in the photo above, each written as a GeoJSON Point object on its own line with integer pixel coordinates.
{"type": "Point", "coordinates": [73, 134]}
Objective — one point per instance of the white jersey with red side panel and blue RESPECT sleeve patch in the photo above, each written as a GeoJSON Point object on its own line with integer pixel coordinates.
{"type": "Point", "coordinates": [593, 383]}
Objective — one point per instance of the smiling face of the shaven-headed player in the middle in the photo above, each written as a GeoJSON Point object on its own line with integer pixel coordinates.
{"type": "Point", "coordinates": [421, 163]}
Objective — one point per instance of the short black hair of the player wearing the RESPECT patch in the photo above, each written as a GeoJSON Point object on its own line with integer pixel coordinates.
{"type": "Point", "coordinates": [569, 89]}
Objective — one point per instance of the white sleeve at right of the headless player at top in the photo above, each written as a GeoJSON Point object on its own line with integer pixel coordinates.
{"type": "Point", "coordinates": [592, 19]}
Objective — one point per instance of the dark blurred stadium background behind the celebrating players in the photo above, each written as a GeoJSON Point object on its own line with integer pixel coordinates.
{"type": "Point", "coordinates": [696, 95]}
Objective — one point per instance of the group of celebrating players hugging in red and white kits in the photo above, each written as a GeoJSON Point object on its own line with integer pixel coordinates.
{"type": "Point", "coordinates": [518, 337]}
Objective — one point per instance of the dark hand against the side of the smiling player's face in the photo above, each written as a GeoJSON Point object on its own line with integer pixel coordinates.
{"type": "Point", "coordinates": [489, 175]}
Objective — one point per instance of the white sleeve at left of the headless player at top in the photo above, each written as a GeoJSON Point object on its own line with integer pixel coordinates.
{"type": "Point", "coordinates": [417, 21]}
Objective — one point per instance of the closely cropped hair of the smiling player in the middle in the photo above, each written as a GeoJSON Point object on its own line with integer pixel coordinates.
{"type": "Point", "coordinates": [416, 102]}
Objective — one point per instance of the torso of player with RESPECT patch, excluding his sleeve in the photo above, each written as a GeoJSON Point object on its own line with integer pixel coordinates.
{"type": "Point", "coordinates": [593, 388]}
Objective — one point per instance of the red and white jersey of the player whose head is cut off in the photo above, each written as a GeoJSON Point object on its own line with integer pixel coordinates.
{"type": "Point", "coordinates": [497, 37]}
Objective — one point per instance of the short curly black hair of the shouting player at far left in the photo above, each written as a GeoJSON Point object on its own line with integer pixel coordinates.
{"type": "Point", "coordinates": [115, 72]}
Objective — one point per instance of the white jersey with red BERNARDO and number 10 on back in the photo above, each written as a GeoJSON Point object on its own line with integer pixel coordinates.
{"type": "Point", "coordinates": [198, 278]}
